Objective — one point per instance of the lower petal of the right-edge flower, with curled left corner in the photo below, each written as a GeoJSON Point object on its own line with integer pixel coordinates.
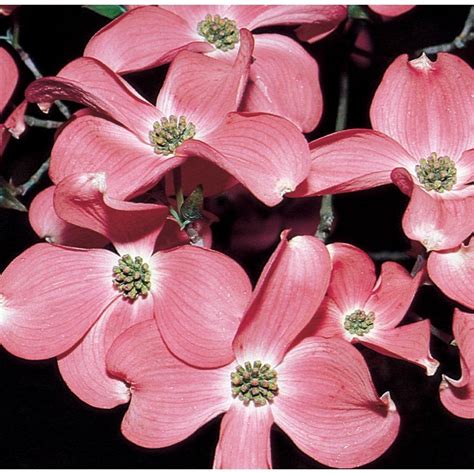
{"type": "Point", "coordinates": [438, 220]}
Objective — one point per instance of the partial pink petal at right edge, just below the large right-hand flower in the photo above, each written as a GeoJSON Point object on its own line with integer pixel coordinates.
{"type": "Point", "coordinates": [453, 273]}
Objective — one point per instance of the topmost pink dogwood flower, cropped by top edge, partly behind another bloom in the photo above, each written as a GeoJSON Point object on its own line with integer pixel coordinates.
{"type": "Point", "coordinates": [283, 79]}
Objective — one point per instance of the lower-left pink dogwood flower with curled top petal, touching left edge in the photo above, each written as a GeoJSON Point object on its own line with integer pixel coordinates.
{"type": "Point", "coordinates": [71, 303]}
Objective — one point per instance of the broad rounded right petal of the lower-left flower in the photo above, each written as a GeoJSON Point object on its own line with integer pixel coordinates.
{"type": "Point", "coordinates": [200, 298]}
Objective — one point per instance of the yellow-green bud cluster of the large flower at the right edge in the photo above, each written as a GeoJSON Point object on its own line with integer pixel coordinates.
{"type": "Point", "coordinates": [437, 173]}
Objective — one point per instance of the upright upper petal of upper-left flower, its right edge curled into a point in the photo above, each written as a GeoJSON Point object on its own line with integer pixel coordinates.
{"type": "Point", "coordinates": [205, 89]}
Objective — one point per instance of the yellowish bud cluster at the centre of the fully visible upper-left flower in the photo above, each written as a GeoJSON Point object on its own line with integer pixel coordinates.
{"type": "Point", "coordinates": [169, 133]}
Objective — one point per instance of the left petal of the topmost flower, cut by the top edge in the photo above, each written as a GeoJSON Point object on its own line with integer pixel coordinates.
{"type": "Point", "coordinates": [143, 38]}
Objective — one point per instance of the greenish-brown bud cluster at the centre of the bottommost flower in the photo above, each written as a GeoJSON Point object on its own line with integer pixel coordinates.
{"type": "Point", "coordinates": [255, 383]}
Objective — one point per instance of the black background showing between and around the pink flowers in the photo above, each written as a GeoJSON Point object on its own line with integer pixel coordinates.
{"type": "Point", "coordinates": [43, 425]}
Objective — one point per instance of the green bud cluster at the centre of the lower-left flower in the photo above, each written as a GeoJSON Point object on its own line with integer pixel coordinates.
{"type": "Point", "coordinates": [132, 277]}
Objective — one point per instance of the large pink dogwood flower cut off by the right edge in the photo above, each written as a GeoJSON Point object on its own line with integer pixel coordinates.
{"type": "Point", "coordinates": [422, 141]}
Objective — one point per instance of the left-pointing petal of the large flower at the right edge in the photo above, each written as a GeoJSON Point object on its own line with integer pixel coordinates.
{"type": "Point", "coordinates": [352, 160]}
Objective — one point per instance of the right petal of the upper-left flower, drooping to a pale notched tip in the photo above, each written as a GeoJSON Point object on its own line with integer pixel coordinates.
{"type": "Point", "coordinates": [266, 153]}
